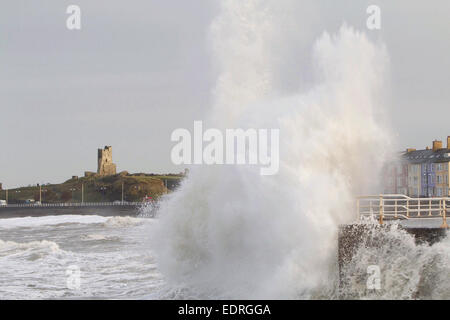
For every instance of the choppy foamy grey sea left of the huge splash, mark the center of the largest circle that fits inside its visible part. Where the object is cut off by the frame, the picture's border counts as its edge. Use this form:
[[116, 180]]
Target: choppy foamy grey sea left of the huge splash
[[37, 252]]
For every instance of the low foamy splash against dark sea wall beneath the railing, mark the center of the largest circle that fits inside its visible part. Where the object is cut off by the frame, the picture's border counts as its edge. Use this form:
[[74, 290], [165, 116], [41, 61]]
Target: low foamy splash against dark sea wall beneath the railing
[[407, 269]]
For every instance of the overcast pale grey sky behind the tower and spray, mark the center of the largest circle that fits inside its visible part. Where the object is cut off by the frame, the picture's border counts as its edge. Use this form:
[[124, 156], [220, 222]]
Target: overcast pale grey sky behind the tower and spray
[[139, 69]]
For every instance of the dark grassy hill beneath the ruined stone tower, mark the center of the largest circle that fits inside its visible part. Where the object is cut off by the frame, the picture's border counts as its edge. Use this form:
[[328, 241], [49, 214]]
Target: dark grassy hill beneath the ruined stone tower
[[98, 189]]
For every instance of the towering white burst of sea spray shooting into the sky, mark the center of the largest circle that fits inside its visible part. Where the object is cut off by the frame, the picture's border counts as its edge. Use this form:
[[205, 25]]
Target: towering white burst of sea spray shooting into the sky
[[230, 232]]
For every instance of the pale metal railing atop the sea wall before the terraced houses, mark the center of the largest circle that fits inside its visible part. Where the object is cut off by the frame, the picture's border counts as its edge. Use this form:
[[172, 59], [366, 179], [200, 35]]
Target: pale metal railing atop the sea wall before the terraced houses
[[398, 206]]
